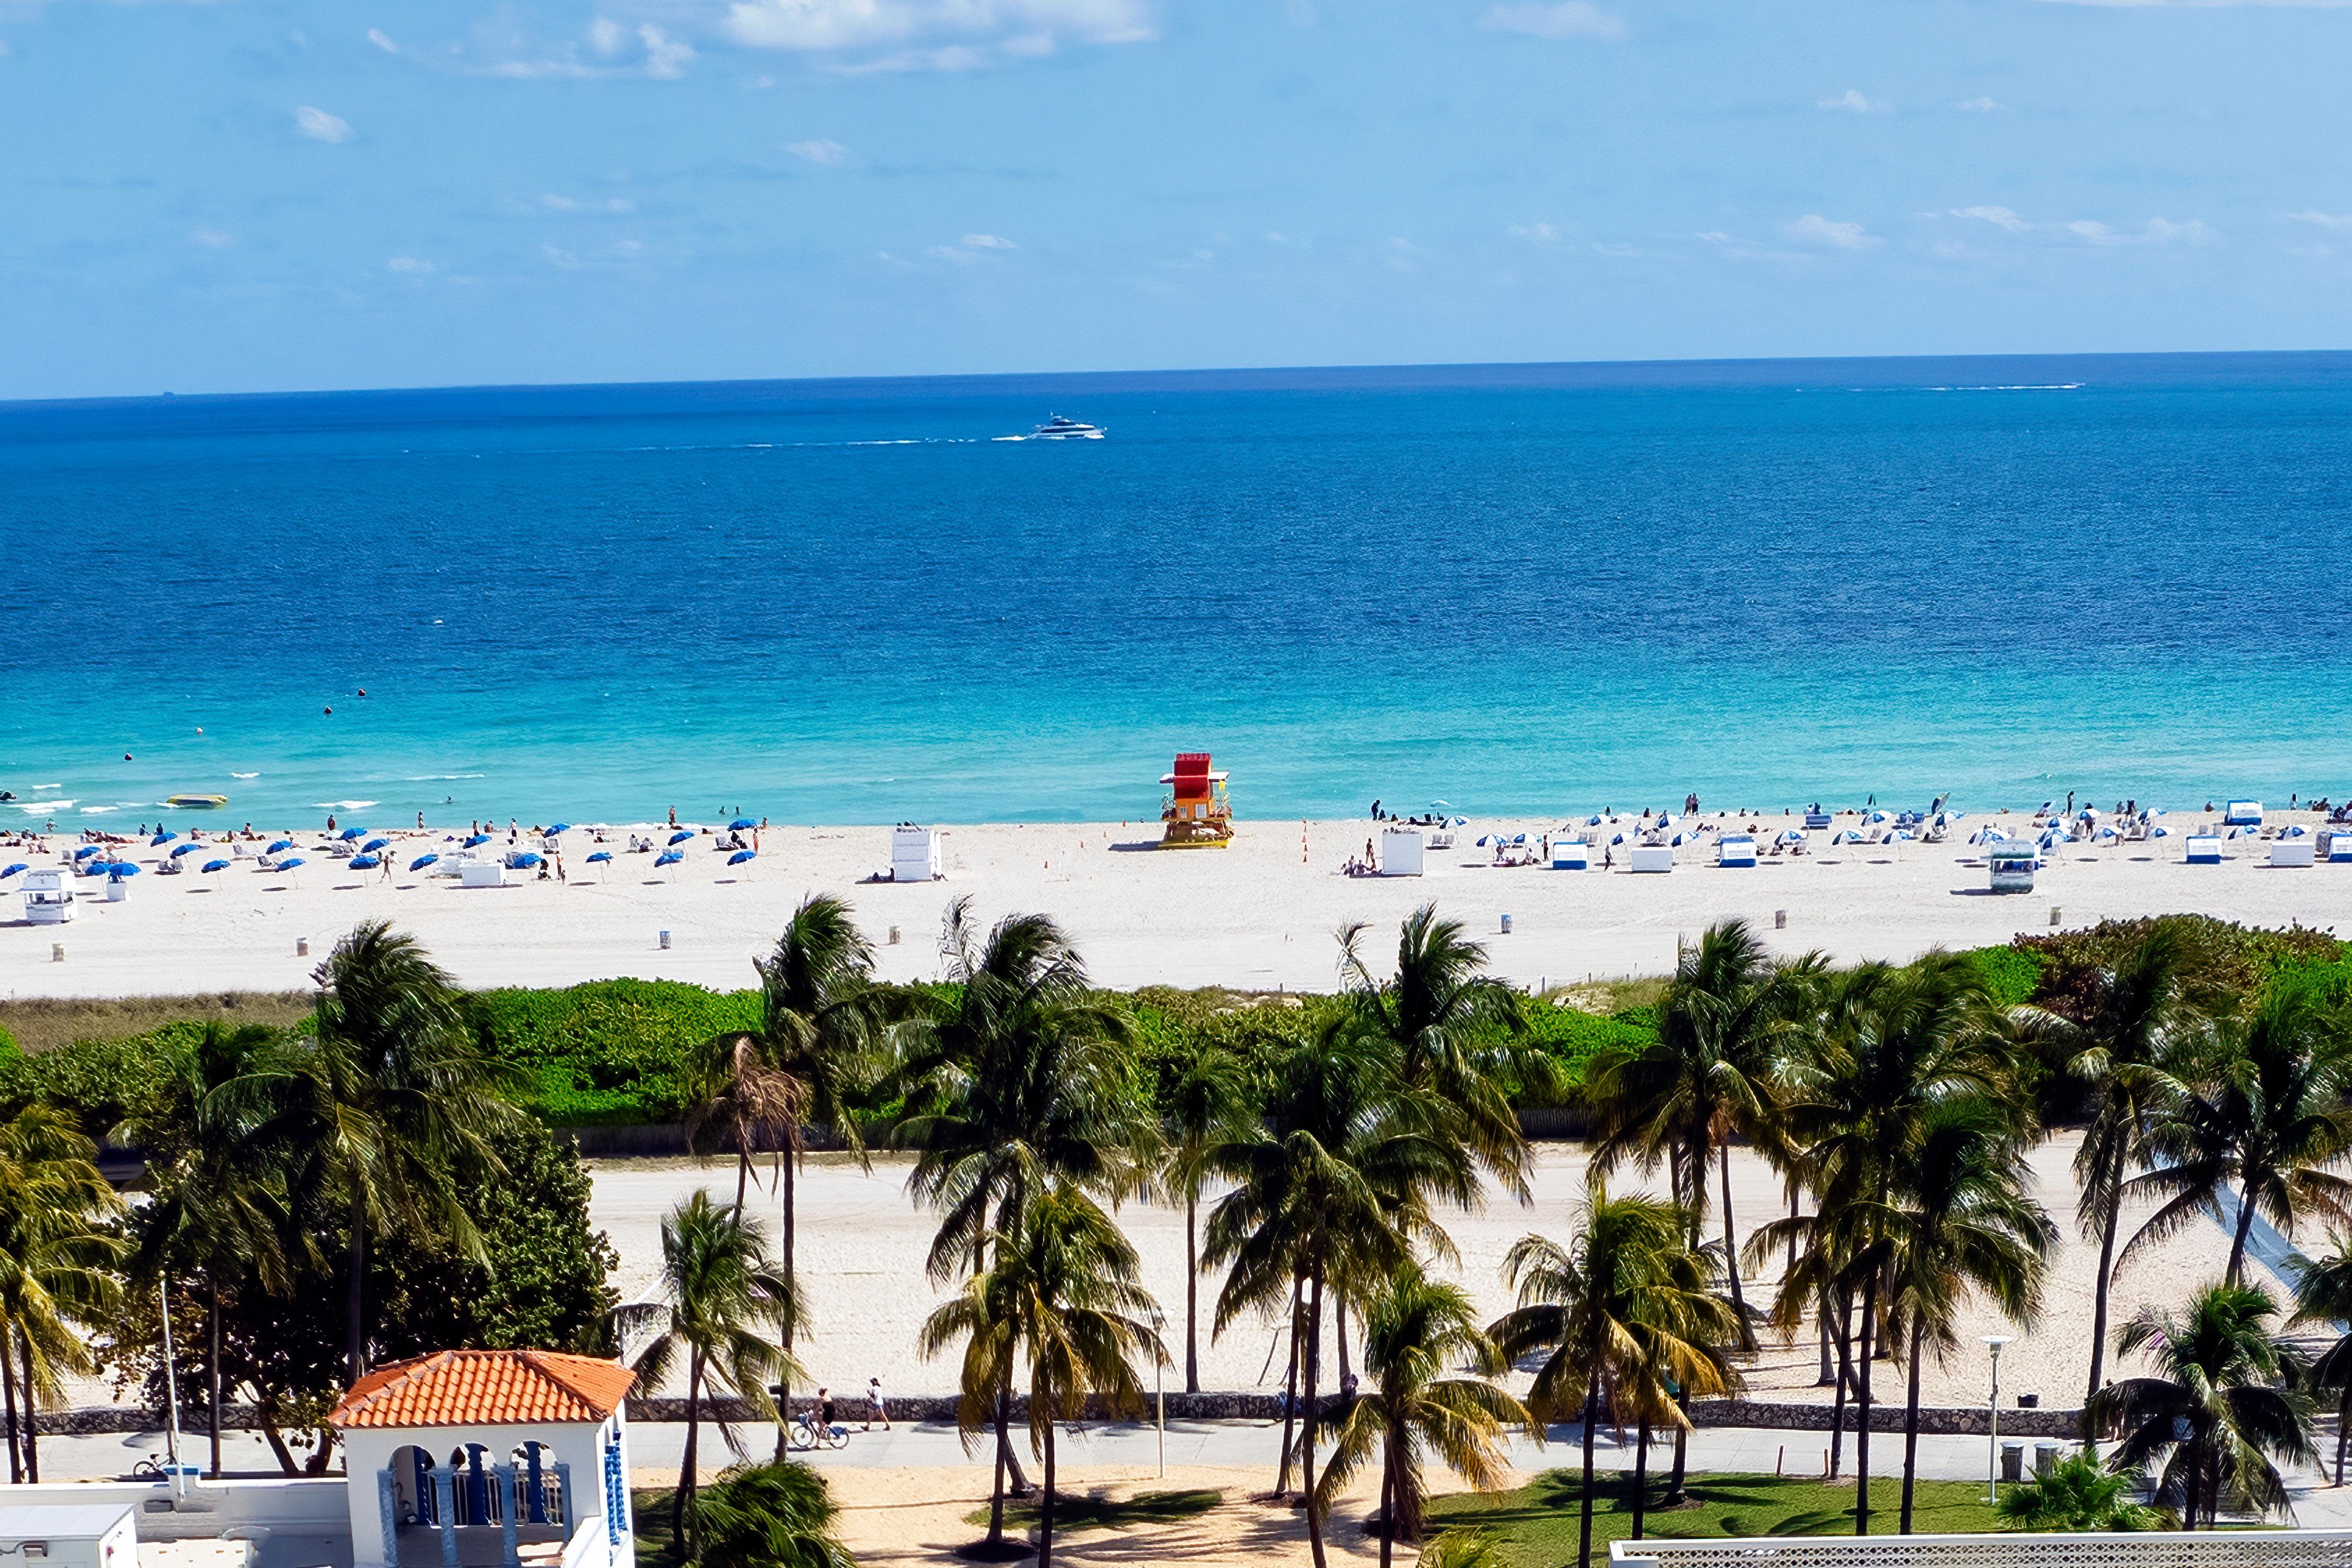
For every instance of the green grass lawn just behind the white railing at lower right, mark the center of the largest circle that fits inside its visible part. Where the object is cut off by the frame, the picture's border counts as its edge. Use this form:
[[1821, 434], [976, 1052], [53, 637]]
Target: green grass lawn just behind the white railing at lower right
[[1537, 1525]]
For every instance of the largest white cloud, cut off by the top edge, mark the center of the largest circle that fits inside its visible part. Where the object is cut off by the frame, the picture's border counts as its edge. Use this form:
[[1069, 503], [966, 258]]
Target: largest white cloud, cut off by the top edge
[[935, 34]]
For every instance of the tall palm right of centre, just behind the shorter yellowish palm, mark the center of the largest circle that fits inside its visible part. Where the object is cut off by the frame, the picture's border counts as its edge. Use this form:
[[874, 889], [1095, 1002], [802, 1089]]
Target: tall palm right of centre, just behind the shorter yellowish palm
[[1711, 1073]]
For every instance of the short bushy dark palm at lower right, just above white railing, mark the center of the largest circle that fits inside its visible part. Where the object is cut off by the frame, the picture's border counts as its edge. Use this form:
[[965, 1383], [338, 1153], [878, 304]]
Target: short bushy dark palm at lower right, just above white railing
[[2221, 1409]]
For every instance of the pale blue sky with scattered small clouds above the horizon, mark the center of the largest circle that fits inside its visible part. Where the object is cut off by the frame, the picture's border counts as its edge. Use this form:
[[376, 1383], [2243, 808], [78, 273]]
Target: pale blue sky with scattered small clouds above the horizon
[[316, 194]]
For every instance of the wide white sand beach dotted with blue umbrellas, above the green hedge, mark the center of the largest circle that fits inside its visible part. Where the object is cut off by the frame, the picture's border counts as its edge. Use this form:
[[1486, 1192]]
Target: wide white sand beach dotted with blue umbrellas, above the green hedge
[[1257, 913]]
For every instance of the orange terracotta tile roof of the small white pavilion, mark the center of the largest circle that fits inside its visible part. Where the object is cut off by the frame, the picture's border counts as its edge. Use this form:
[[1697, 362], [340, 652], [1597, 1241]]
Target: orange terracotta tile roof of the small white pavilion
[[486, 1388]]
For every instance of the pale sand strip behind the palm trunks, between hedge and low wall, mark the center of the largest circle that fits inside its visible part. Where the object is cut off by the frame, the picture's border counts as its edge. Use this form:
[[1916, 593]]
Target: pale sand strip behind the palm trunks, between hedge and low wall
[[862, 1247]]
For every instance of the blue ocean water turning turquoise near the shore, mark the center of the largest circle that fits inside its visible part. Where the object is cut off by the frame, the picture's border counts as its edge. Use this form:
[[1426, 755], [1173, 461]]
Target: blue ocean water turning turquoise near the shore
[[1516, 589]]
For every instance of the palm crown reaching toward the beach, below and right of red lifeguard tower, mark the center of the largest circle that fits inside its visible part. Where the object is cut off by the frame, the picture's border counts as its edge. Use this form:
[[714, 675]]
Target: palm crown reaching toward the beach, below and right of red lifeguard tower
[[1455, 1033]]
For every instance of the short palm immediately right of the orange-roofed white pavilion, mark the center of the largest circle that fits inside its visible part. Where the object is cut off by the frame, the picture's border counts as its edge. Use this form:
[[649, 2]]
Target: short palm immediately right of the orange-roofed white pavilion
[[721, 1296]]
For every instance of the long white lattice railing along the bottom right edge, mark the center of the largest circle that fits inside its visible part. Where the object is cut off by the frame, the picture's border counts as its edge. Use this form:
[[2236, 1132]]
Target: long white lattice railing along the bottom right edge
[[2003, 1550]]
